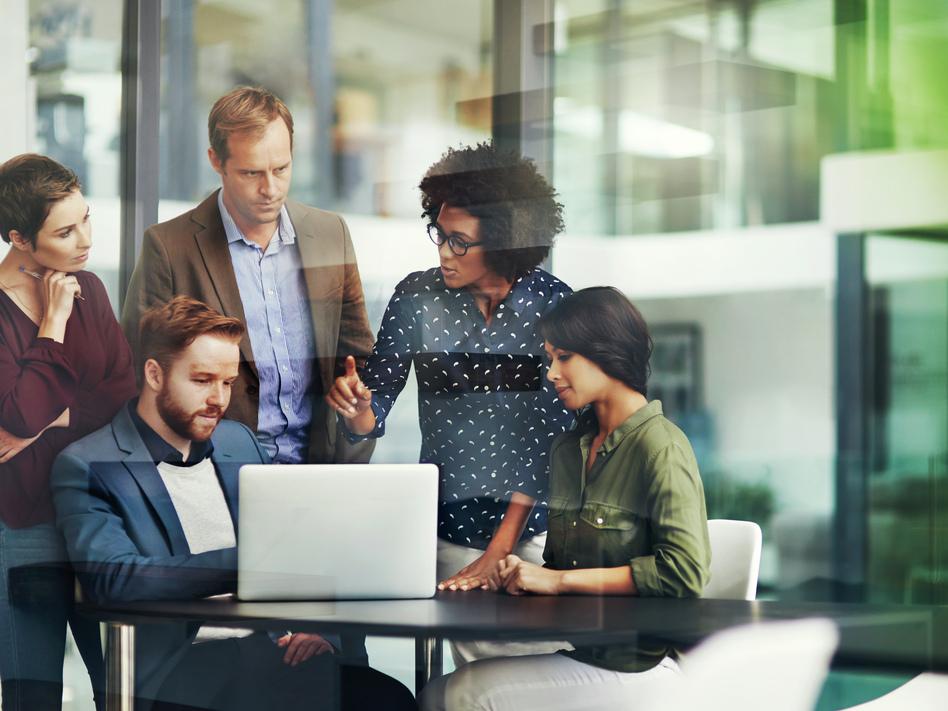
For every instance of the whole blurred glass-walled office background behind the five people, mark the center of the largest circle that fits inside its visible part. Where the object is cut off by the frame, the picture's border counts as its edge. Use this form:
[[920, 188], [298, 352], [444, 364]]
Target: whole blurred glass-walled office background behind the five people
[[766, 179]]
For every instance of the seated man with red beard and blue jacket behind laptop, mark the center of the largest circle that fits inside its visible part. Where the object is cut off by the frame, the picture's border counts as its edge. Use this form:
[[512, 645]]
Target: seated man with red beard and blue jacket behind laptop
[[148, 508]]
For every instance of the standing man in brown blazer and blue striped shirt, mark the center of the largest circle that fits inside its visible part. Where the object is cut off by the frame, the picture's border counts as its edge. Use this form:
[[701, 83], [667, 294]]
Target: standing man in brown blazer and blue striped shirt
[[285, 269]]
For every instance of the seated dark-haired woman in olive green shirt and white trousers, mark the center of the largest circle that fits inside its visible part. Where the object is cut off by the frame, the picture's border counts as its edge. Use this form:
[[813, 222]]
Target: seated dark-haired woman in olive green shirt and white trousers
[[627, 517]]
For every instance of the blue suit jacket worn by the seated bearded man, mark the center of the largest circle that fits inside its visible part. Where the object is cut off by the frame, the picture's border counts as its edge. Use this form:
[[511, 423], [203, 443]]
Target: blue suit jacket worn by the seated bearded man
[[125, 539]]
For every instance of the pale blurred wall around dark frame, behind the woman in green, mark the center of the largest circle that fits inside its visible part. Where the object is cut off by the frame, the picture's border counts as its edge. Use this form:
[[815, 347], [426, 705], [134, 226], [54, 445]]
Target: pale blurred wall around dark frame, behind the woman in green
[[768, 386]]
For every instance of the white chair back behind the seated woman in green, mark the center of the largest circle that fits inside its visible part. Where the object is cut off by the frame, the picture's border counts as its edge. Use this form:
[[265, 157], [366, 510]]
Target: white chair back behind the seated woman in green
[[735, 559]]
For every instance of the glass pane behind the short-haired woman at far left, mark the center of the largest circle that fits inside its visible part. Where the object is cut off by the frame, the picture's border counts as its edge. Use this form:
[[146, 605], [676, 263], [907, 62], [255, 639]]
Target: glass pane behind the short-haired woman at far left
[[62, 69]]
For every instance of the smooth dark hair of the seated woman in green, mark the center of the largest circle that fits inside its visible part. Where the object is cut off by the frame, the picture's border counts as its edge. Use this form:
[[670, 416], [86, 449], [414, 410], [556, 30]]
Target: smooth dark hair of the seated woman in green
[[602, 325]]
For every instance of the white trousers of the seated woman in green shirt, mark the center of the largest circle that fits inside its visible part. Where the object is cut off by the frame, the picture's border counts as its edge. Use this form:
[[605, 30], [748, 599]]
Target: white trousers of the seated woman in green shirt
[[549, 682]]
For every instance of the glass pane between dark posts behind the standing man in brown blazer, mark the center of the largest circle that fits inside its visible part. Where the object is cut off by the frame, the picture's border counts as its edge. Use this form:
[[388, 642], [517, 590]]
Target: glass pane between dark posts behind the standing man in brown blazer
[[378, 92]]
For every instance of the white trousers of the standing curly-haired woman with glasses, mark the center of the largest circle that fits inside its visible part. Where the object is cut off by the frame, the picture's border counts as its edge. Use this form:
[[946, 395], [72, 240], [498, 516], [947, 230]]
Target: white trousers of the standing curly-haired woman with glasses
[[451, 558]]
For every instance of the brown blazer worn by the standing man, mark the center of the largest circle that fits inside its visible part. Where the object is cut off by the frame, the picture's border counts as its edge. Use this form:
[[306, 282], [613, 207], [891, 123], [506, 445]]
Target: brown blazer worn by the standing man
[[189, 255]]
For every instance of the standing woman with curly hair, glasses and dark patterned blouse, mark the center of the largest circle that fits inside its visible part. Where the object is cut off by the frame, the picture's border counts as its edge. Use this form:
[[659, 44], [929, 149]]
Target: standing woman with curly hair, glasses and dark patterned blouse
[[486, 412]]
